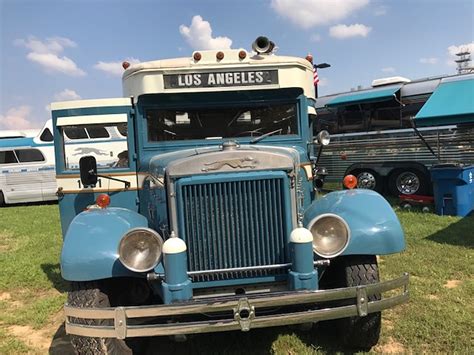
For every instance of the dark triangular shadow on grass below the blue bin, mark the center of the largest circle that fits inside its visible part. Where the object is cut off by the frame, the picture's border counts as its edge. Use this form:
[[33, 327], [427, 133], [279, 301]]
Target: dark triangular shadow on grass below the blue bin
[[459, 233]]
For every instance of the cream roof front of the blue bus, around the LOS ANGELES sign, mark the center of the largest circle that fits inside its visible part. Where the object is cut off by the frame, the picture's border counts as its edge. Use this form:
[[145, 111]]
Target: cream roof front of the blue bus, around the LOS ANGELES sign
[[151, 77]]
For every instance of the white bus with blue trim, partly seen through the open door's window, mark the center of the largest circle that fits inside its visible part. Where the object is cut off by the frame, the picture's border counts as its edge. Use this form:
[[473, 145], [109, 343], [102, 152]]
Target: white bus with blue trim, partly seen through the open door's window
[[27, 165]]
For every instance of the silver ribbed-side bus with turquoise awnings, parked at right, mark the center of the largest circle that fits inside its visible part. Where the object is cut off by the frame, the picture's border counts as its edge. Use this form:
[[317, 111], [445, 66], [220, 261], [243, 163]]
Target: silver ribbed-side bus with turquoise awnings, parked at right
[[373, 137]]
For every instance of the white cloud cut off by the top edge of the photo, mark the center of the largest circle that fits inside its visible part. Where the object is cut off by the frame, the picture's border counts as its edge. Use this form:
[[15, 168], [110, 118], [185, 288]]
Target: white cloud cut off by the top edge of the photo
[[310, 13]]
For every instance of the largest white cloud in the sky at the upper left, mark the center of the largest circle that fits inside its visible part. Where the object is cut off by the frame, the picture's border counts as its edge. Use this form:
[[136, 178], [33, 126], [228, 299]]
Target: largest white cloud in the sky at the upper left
[[47, 54]]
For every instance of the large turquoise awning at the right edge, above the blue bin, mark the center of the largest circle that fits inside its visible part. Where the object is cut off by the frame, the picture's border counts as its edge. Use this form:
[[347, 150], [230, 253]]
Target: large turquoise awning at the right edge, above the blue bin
[[451, 103]]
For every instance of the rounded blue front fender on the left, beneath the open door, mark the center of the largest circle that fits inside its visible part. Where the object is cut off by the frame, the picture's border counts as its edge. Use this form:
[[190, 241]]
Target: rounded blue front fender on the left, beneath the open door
[[90, 248]]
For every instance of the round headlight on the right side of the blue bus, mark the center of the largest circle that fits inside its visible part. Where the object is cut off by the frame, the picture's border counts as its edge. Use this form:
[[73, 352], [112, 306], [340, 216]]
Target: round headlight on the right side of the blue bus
[[331, 235]]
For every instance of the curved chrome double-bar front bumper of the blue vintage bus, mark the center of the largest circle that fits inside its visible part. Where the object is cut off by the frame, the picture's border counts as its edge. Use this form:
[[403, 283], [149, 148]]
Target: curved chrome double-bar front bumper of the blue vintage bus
[[242, 308]]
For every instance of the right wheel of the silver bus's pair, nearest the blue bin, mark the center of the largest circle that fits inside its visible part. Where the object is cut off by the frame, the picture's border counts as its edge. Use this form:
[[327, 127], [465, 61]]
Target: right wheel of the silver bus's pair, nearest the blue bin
[[419, 182]]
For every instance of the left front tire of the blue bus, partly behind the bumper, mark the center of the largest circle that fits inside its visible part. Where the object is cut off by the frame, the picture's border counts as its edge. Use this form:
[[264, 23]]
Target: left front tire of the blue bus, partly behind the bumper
[[99, 294]]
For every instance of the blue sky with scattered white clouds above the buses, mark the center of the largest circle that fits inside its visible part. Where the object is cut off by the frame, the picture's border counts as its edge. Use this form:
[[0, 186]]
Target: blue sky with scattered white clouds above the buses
[[72, 49]]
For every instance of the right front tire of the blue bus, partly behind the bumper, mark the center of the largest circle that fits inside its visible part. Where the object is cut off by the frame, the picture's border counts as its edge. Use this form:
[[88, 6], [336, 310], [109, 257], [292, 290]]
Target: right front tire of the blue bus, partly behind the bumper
[[357, 333]]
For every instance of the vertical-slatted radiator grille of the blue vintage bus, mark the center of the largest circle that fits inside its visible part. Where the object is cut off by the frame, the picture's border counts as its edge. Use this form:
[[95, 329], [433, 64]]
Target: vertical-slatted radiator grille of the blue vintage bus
[[234, 224]]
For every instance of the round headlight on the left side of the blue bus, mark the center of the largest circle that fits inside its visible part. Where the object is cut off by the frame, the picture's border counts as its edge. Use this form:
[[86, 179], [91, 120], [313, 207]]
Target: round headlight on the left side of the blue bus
[[140, 249]]
